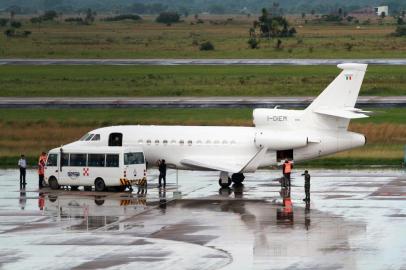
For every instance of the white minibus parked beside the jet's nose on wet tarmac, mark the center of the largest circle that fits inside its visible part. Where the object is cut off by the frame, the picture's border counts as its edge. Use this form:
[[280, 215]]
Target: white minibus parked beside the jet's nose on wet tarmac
[[101, 167]]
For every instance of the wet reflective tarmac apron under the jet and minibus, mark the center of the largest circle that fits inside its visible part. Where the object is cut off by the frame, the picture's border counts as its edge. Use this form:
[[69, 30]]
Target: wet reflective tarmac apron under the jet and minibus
[[356, 220]]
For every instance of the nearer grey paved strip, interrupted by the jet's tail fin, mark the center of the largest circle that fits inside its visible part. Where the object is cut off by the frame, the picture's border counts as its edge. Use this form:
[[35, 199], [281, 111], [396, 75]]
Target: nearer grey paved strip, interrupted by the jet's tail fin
[[187, 102]]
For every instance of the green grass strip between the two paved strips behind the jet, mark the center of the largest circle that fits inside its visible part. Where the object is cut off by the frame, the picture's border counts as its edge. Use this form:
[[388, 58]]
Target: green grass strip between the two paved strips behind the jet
[[189, 80]]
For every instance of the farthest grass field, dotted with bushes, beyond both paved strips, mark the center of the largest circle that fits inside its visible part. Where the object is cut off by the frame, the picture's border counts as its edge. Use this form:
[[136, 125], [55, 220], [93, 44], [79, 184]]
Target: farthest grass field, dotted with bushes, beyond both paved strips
[[147, 39]]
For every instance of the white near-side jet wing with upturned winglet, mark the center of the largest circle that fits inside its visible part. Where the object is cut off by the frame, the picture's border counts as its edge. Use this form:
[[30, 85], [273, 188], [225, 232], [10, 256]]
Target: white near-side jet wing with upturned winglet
[[226, 164]]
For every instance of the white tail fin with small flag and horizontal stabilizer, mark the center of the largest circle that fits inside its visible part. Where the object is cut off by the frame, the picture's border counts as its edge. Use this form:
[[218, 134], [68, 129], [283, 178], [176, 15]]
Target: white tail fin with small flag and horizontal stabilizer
[[334, 107]]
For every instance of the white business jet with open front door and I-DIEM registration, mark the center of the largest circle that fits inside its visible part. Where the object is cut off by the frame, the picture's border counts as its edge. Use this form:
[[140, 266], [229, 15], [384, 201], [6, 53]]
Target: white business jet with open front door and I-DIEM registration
[[277, 134]]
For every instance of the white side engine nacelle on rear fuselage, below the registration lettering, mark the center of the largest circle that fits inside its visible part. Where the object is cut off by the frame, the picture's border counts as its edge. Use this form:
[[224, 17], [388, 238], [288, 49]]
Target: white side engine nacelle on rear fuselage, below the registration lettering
[[280, 140]]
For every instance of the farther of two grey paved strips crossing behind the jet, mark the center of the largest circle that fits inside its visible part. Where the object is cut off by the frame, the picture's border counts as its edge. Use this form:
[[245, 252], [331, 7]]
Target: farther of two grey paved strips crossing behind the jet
[[170, 62]]
